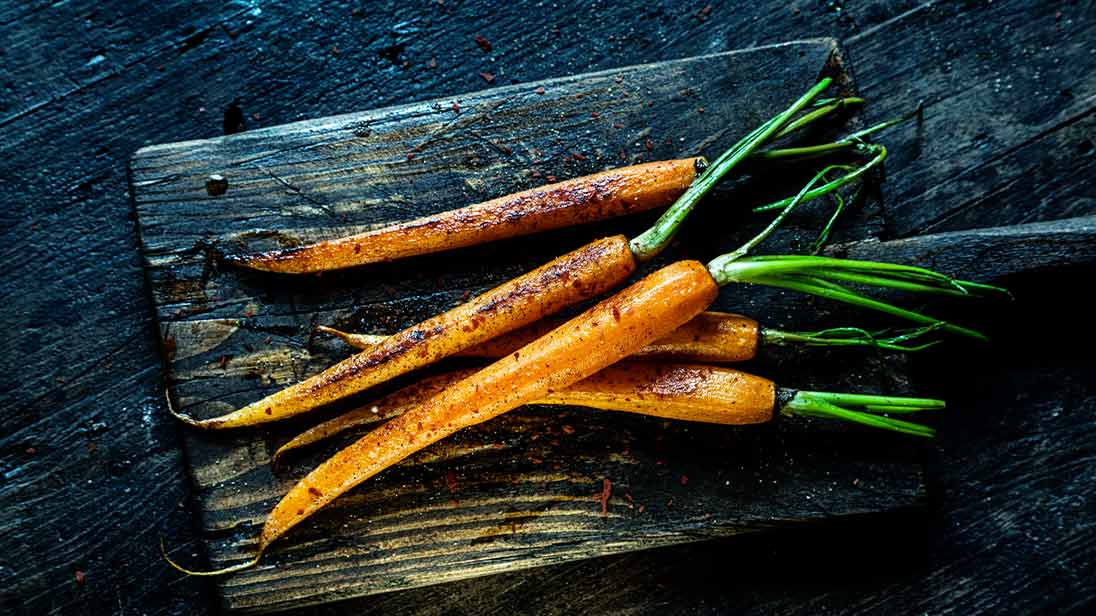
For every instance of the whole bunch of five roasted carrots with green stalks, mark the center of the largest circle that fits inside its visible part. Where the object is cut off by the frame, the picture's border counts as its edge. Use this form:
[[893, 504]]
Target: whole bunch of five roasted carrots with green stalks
[[649, 349]]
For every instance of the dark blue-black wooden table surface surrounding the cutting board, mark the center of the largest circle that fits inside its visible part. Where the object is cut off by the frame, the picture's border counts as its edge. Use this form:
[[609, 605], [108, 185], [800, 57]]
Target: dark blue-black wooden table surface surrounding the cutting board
[[92, 470]]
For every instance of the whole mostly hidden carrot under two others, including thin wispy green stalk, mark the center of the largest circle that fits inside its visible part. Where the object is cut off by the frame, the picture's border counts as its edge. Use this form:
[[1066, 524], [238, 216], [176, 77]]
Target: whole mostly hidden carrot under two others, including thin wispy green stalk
[[711, 337]]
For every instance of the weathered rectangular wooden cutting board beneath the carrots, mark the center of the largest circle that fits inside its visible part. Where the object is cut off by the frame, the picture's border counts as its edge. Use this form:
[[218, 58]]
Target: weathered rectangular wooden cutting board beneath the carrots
[[523, 490]]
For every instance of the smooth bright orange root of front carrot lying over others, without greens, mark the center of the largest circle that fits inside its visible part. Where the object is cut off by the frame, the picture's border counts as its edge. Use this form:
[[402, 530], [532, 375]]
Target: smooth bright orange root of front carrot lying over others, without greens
[[602, 336]]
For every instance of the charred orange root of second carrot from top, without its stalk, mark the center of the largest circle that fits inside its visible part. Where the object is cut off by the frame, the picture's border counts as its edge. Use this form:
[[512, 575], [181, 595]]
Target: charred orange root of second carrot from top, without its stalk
[[568, 280]]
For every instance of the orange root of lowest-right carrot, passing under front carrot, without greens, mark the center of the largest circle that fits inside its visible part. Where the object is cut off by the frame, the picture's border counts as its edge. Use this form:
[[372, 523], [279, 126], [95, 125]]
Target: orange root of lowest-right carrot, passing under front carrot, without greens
[[679, 392]]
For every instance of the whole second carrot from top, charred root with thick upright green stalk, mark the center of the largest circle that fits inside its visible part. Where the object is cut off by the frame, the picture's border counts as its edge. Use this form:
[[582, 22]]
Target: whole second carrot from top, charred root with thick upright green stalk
[[569, 280]]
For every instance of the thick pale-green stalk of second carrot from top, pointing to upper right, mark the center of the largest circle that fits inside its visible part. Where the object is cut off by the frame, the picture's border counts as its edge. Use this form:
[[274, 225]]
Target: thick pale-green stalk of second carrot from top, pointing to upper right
[[659, 236]]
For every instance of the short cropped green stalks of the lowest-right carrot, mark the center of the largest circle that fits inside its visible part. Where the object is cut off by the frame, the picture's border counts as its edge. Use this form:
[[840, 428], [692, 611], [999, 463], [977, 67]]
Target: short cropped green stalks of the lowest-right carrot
[[863, 409]]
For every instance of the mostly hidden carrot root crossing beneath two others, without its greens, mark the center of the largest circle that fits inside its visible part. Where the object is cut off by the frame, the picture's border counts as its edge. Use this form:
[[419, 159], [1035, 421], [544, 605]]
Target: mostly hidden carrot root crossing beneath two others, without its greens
[[710, 337]]
